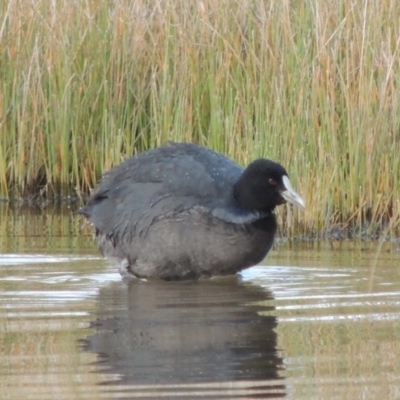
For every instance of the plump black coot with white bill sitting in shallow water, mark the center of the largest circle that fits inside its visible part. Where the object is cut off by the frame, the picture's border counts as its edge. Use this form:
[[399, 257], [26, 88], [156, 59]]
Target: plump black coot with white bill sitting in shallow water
[[182, 211]]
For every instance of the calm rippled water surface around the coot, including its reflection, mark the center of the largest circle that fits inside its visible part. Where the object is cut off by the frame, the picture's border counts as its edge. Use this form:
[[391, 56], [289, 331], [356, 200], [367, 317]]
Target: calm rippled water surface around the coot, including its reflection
[[316, 321]]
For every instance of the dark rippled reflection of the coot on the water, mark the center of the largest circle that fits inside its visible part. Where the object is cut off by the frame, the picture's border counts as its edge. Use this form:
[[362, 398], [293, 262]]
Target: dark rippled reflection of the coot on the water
[[160, 332]]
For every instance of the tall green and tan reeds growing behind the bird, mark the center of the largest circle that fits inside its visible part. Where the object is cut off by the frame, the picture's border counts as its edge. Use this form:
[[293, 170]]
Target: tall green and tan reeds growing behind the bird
[[313, 85]]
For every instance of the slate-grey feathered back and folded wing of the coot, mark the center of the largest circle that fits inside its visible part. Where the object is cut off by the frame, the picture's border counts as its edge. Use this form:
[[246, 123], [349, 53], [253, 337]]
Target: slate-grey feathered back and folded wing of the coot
[[164, 180]]
